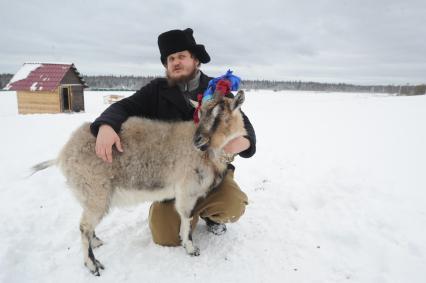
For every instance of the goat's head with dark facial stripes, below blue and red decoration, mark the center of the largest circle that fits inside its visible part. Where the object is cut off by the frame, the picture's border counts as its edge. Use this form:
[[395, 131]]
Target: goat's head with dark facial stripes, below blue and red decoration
[[220, 121]]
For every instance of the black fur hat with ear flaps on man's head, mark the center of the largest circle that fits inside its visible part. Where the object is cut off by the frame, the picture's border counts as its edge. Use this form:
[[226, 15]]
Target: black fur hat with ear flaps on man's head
[[177, 40]]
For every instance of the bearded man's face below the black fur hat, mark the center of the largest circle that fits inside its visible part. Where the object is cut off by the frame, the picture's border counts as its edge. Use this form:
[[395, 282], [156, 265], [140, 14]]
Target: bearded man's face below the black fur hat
[[181, 66]]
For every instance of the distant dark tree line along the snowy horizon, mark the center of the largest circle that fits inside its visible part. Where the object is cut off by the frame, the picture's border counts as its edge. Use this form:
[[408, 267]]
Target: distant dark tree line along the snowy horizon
[[111, 82]]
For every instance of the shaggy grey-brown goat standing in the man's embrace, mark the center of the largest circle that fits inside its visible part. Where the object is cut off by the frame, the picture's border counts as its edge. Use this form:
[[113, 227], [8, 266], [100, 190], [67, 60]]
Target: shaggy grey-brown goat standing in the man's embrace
[[161, 161]]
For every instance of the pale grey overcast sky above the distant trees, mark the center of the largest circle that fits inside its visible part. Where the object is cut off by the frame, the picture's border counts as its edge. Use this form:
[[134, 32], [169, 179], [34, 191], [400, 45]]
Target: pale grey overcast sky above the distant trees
[[362, 42]]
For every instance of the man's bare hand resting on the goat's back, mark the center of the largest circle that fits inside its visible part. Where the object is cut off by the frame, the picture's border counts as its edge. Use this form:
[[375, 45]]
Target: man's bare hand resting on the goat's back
[[106, 138]]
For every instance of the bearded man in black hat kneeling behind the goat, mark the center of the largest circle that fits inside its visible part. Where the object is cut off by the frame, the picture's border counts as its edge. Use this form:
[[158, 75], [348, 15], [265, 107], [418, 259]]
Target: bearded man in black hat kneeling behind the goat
[[168, 99]]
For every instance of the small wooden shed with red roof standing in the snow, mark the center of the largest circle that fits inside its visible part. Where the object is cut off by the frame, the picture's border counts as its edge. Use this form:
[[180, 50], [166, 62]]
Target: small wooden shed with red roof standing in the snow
[[48, 88]]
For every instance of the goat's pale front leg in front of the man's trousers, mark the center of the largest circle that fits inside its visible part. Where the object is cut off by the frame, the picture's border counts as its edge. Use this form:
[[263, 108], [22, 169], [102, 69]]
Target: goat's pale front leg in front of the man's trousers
[[184, 206]]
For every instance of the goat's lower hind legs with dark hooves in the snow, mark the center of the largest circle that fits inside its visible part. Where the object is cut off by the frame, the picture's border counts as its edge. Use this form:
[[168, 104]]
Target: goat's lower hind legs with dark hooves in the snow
[[89, 220]]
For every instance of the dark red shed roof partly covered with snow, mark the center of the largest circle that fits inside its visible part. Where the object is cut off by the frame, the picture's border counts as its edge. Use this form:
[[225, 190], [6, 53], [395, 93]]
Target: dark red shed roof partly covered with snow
[[44, 77]]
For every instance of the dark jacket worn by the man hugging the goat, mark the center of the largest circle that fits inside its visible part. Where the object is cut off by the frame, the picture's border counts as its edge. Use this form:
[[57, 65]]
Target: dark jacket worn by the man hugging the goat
[[157, 100]]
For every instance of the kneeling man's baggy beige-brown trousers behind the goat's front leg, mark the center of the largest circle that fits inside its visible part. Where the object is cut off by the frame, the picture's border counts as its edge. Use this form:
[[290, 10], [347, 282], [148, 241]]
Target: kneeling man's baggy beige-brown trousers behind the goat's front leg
[[225, 203]]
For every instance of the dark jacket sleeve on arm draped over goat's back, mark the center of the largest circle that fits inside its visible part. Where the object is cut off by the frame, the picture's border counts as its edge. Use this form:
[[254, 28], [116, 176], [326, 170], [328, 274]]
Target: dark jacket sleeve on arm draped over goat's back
[[140, 103]]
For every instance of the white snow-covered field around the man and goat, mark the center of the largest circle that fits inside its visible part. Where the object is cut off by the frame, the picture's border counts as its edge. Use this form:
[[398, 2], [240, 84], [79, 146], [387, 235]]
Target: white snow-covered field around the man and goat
[[337, 194]]
